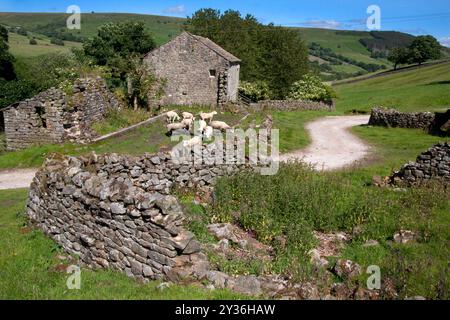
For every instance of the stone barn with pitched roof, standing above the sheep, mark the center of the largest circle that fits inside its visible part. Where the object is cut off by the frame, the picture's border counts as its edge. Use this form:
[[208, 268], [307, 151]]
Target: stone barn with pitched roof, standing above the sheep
[[194, 70]]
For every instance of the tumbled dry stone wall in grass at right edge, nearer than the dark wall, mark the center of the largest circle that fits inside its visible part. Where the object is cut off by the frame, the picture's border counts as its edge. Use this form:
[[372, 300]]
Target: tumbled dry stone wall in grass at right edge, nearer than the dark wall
[[431, 164]]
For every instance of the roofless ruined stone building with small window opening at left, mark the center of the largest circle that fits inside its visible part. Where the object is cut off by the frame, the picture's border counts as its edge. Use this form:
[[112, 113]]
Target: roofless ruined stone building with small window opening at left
[[55, 116]]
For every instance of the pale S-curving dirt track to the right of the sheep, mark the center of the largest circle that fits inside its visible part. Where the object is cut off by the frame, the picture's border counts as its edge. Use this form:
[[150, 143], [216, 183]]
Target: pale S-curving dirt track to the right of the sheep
[[333, 146]]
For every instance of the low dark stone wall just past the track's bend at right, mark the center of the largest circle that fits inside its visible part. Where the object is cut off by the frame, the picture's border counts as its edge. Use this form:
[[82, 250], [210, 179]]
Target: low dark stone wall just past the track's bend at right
[[393, 118]]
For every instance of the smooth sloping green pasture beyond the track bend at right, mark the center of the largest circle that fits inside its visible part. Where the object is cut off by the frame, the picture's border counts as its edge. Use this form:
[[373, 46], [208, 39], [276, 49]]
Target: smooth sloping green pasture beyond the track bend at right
[[427, 88]]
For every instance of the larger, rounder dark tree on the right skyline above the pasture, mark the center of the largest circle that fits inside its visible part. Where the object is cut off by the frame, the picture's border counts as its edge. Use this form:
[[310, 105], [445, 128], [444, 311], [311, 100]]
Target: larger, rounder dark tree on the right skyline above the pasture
[[424, 48]]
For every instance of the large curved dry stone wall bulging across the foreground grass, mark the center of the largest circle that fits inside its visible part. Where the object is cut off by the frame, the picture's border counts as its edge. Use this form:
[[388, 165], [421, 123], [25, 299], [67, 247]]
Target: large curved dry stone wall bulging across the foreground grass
[[117, 212]]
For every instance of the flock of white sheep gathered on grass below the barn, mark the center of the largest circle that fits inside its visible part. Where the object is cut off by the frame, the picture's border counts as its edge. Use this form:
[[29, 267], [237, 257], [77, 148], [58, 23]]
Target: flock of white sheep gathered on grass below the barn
[[204, 130]]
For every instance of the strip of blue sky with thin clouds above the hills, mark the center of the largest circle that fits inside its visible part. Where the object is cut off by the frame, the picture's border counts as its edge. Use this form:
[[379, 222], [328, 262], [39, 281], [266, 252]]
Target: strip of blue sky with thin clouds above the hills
[[412, 16]]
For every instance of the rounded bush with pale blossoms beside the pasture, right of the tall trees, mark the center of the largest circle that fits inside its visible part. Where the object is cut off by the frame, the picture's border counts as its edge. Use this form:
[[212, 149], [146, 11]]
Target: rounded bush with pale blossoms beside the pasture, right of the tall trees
[[311, 88]]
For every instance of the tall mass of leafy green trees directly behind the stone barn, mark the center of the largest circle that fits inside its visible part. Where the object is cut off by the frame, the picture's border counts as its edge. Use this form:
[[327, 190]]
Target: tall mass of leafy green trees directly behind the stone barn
[[272, 54]]
